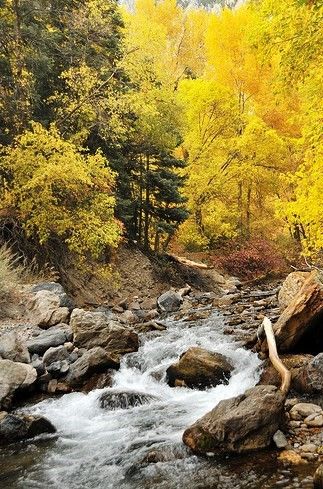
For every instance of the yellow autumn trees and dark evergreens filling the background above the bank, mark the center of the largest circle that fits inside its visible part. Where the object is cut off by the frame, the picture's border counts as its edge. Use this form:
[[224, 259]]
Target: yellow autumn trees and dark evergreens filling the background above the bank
[[161, 122]]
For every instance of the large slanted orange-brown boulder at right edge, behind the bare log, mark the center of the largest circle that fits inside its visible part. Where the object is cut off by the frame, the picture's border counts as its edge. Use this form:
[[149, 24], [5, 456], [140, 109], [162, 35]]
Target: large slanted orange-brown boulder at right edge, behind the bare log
[[299, 327]]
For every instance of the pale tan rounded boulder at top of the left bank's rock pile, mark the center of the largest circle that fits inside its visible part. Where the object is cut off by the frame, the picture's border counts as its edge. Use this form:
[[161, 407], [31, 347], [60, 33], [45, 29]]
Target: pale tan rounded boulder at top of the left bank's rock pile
[[45, 309]]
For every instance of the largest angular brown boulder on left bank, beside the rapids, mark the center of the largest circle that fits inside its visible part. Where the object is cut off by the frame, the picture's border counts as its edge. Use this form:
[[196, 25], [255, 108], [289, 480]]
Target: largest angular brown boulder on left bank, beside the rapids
[[93, 329]]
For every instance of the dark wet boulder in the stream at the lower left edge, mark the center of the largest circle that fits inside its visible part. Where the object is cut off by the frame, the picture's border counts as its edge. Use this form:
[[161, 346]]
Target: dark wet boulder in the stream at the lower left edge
[[18, 426]]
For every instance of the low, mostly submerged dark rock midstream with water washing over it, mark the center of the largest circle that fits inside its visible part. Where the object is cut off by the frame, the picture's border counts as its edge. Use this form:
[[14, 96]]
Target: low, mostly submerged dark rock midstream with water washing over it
[[124, 400]]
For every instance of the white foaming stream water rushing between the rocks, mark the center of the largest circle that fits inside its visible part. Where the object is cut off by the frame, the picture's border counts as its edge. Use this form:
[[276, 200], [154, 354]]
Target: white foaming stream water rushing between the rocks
[[104, 449]]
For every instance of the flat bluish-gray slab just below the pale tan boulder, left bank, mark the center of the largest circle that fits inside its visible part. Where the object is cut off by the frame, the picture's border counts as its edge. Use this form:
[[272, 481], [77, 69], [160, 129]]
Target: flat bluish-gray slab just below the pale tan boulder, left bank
[[55, 336]]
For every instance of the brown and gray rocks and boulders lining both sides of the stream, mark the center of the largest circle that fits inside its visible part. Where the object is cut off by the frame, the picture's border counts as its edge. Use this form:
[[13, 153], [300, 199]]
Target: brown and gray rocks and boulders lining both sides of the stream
[[56, 348]]
